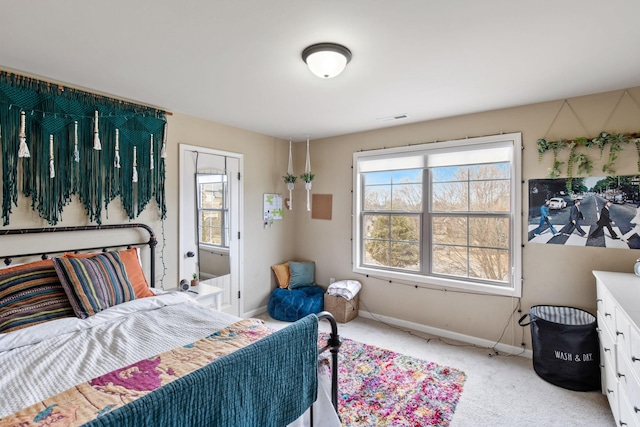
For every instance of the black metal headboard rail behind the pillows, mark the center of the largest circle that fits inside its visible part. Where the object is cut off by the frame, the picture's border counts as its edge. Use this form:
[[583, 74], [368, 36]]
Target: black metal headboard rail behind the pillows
[[152, 242]]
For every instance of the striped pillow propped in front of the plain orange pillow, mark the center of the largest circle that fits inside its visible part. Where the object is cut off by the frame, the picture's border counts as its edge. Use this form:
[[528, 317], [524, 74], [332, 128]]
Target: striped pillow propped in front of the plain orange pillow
[[94, 284]]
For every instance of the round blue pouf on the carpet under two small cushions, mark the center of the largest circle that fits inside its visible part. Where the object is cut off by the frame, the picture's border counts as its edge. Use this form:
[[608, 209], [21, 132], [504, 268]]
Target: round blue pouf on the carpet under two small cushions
[[290, 305]]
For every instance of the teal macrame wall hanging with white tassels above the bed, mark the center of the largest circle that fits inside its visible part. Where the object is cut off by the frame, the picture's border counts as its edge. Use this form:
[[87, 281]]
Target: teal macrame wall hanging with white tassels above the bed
[[59, 142]]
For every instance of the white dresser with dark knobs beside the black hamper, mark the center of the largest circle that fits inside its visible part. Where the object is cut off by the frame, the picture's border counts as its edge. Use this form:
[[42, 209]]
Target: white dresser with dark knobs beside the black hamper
[[618, 297]]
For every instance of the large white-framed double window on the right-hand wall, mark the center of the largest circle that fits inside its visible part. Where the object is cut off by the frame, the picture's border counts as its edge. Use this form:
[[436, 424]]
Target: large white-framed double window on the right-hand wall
[[444, 213]]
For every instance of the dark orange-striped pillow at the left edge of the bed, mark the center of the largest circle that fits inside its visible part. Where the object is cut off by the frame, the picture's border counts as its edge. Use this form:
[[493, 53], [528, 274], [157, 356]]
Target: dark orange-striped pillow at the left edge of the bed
[[31, 294]]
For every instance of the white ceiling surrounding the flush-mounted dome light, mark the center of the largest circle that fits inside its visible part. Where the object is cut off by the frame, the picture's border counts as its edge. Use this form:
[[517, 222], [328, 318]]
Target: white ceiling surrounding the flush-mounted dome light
[[237, 62]]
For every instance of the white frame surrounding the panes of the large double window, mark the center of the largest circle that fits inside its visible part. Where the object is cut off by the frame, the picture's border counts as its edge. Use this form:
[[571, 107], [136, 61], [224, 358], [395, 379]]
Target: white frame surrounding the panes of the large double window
[[383, 159]]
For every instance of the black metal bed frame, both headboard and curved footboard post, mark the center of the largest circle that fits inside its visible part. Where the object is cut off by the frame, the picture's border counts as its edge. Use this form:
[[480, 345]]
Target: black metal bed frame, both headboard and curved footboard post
[[333, 343]]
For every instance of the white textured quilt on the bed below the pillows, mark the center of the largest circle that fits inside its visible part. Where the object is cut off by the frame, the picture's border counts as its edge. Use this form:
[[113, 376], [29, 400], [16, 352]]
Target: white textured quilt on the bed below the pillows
[[41, 361]]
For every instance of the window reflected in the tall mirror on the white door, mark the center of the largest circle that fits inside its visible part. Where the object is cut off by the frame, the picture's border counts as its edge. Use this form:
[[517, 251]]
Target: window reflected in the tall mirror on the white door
[[213, 210]]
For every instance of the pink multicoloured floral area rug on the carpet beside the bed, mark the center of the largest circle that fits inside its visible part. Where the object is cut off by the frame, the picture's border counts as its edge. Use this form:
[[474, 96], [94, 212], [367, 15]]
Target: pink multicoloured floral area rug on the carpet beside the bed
[[378, 387]]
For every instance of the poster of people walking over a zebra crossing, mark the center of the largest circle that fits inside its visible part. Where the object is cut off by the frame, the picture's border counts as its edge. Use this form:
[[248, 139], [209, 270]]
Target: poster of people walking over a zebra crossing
[[594, 211]]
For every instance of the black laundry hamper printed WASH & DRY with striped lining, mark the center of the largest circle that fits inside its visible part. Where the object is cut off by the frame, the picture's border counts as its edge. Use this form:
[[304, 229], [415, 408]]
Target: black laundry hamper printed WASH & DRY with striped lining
[[565, 345]]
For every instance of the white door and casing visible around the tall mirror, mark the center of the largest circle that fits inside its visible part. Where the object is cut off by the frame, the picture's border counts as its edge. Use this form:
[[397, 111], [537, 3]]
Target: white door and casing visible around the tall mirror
[[186, 231]]
